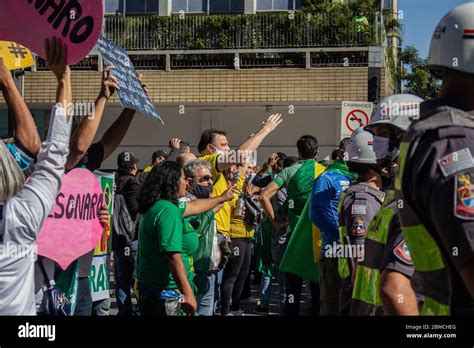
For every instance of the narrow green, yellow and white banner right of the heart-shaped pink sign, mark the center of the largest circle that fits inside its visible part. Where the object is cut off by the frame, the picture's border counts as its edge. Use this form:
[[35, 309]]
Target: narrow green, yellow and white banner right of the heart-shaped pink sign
[[100, 268]]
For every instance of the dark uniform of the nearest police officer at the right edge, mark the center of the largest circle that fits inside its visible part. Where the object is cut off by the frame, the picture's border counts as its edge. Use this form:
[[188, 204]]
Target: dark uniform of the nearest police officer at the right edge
[[436, 185]]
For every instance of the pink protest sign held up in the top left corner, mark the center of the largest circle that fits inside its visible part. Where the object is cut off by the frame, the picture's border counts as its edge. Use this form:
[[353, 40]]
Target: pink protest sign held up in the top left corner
[[78, 23]]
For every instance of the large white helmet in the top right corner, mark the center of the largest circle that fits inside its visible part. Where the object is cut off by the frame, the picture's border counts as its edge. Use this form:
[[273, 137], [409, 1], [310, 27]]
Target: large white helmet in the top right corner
[[452, 44]]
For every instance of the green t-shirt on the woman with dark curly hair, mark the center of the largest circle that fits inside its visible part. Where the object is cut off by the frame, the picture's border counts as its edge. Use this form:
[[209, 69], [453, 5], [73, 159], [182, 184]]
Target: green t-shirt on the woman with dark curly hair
[[162, 230]]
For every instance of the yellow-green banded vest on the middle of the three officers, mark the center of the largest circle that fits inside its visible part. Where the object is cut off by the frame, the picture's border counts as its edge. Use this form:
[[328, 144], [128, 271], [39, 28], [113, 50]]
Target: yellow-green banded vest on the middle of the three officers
[[365, 295]]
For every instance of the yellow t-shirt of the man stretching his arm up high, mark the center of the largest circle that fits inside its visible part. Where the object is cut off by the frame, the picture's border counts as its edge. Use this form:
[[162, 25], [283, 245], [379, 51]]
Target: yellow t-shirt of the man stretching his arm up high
[[220, 185]]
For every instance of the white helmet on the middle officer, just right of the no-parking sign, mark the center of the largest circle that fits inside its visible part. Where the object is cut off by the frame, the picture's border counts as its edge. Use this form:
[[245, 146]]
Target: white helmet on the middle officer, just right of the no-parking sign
[[398, 110]]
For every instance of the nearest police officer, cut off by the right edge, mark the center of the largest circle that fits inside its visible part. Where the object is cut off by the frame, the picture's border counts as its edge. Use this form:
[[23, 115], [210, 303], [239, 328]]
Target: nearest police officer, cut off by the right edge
[[436, 176]]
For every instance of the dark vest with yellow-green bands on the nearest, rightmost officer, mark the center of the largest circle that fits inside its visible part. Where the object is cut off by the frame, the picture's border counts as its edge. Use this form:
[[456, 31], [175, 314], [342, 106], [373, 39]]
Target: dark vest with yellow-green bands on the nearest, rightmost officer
[[429, 262]]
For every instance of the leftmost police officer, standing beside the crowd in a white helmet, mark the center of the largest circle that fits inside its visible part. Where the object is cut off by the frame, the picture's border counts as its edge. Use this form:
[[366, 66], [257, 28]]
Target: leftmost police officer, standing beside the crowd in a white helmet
[[357, 208]]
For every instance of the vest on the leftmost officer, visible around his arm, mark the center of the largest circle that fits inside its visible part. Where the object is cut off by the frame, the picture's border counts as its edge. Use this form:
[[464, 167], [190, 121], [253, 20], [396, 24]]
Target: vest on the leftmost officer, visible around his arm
[[354, 192]]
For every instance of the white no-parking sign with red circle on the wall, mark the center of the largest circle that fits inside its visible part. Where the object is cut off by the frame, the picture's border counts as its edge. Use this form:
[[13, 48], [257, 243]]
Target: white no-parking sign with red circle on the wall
[[354, 115]]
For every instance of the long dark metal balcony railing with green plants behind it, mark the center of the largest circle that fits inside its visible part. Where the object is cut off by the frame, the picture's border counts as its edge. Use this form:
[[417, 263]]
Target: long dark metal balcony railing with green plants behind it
[[270, 30]]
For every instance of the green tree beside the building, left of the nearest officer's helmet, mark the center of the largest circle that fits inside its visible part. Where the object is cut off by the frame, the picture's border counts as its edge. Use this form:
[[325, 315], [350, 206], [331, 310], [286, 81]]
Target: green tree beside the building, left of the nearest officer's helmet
[[416, 76]]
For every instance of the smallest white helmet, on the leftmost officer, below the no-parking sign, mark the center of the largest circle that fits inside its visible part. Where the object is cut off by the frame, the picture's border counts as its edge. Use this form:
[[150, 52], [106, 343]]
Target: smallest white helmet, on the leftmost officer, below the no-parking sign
[[360, 148]]
